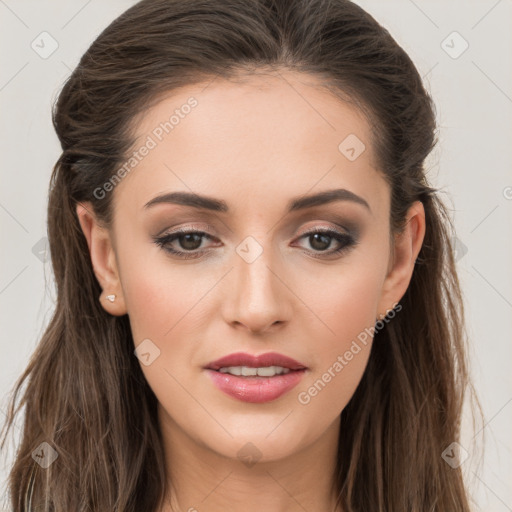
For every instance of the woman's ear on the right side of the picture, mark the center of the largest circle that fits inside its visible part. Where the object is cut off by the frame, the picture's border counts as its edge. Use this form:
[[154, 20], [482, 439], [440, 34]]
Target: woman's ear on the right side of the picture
[[407, 245]]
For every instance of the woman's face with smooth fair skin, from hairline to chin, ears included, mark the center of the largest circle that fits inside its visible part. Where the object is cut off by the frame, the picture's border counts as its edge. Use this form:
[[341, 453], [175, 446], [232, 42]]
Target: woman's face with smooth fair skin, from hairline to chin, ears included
[[257, 268]]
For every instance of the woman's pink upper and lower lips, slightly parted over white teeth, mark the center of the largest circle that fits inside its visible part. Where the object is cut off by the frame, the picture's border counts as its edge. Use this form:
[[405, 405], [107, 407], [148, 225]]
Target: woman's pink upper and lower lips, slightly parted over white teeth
[[255, 389]]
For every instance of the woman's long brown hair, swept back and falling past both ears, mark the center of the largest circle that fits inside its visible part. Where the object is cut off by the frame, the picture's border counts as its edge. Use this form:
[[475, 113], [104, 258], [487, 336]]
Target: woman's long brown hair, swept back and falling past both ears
[[85, 393]]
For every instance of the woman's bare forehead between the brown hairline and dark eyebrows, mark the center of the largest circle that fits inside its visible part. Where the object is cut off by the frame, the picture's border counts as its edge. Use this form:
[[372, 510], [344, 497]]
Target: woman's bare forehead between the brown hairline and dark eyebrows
[[281, 132]]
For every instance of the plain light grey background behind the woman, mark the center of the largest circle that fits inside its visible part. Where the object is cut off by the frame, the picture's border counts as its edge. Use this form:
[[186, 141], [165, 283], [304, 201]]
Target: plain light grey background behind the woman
[[472, 163]]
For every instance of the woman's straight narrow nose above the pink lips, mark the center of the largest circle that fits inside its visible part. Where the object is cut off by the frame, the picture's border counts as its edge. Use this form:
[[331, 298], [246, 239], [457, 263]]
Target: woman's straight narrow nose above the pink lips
[[257, 298]]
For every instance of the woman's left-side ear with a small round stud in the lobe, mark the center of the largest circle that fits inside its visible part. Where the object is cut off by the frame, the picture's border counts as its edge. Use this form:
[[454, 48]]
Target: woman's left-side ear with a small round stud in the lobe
[[103, 259]]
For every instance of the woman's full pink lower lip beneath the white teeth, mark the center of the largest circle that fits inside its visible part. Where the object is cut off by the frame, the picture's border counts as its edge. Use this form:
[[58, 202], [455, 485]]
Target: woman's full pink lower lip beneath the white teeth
[[256, 389]]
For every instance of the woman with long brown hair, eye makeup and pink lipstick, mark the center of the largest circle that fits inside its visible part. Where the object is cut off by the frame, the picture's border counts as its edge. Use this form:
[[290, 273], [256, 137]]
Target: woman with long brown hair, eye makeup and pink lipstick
[[258, 307]]
